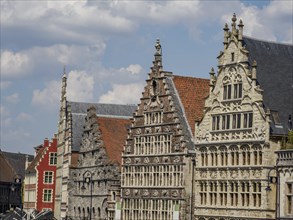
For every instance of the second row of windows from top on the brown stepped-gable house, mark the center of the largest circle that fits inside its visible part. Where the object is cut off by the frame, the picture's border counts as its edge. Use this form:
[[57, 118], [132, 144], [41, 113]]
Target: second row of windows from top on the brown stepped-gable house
[[152, 144]]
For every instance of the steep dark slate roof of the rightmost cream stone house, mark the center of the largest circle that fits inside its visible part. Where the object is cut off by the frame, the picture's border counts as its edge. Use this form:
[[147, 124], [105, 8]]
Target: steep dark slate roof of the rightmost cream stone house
[[275, 76]]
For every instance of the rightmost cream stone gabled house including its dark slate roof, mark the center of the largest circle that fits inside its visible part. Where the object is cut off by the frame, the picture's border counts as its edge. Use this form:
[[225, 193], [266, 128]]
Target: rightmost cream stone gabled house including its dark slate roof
[[245, 116]]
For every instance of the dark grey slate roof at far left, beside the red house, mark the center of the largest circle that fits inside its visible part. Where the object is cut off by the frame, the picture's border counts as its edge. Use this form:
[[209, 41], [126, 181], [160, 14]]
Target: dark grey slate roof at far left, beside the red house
[[16, 161]]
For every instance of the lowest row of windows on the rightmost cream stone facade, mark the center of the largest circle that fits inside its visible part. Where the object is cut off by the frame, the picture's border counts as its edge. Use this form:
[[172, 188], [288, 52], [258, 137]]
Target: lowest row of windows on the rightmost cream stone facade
[[230, 193]]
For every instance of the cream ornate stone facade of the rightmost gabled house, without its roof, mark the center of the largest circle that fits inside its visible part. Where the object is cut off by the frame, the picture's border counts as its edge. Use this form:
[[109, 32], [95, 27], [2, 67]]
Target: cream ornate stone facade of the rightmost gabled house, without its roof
[[233, 150]]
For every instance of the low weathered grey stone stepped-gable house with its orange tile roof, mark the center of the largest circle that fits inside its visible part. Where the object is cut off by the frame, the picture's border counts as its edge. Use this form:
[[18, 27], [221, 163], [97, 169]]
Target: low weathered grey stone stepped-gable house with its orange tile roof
[[93, 190]]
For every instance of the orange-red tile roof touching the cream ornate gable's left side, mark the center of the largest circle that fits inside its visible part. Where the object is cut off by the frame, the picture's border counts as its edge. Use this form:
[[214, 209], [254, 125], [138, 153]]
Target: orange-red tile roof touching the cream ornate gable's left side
[[192, 92]]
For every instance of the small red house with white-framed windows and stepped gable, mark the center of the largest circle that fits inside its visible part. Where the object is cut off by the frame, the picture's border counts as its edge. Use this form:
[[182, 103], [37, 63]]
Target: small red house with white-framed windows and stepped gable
[[40, 178]]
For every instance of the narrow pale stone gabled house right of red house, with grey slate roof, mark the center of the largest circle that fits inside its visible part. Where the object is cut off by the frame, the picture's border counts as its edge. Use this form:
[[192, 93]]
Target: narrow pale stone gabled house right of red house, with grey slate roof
[[70, 129]]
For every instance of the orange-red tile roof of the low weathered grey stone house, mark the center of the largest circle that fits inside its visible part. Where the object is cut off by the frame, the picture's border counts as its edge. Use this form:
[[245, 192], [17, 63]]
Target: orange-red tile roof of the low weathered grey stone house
[[114, 133]]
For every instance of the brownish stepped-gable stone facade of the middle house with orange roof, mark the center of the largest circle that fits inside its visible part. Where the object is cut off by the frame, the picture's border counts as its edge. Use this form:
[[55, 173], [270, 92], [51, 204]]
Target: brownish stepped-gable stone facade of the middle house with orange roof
[[156, 162]]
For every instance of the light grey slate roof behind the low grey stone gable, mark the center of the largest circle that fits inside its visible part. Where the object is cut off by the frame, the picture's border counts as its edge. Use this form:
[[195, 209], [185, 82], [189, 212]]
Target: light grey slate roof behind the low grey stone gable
[[79, 111]]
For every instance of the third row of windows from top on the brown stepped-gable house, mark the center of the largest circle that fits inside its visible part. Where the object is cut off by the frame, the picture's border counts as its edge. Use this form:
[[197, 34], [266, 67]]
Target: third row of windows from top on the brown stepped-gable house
[[161, 175]]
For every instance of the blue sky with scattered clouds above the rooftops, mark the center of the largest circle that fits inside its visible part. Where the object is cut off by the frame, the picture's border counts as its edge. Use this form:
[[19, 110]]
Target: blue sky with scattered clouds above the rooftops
[[107, 48]]
